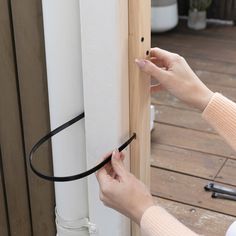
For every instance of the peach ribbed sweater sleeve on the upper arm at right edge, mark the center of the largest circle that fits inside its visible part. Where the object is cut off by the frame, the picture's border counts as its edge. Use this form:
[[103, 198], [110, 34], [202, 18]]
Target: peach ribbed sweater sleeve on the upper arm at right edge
[[220, 113]]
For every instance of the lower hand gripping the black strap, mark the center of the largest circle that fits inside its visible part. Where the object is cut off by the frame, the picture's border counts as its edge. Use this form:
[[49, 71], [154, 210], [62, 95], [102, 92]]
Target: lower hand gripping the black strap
[[121, 191]]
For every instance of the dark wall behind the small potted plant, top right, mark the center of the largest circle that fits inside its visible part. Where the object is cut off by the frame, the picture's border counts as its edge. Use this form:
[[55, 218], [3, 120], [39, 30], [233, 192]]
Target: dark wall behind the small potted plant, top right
[[220, 9]]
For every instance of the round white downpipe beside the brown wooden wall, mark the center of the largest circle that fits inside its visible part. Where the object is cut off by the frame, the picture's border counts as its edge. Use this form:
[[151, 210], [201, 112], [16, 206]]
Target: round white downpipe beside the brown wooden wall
[[65, 87]]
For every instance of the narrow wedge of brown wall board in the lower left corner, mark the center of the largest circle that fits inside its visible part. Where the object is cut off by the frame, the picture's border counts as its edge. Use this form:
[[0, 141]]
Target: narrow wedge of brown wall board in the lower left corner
[[4, 230]]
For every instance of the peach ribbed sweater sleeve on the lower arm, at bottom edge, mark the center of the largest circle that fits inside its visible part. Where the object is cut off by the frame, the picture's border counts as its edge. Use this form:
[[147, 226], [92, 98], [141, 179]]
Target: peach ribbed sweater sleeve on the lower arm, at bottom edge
[[156, 221]]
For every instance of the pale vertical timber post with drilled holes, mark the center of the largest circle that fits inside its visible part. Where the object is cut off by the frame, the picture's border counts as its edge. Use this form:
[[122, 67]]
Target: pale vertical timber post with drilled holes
[[139, 83]]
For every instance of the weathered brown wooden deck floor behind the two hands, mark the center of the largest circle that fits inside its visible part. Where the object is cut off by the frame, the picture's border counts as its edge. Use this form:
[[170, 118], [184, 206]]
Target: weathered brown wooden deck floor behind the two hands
[[186, 152]]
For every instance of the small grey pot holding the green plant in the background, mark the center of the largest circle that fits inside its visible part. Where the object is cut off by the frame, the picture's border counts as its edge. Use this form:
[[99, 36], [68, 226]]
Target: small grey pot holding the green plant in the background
[[197, 20]]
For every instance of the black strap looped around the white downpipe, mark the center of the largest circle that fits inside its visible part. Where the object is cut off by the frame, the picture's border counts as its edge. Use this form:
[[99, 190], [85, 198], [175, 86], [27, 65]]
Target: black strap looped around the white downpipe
[[72, 177]]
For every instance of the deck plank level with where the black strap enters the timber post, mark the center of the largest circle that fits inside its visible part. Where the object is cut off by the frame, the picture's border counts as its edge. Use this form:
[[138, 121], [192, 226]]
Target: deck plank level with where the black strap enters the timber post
[[192, 140]]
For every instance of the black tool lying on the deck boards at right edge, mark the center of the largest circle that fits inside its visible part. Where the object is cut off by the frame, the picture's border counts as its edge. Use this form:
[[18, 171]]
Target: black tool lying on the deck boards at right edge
[[221, 192]]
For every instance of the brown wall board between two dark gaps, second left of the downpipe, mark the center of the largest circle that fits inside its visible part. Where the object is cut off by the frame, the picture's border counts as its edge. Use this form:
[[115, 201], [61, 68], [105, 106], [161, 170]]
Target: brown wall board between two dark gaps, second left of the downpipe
[[10, 133]]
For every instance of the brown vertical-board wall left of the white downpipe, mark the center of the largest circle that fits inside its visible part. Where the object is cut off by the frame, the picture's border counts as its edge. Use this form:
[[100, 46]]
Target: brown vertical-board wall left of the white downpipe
[[24, 118]]
